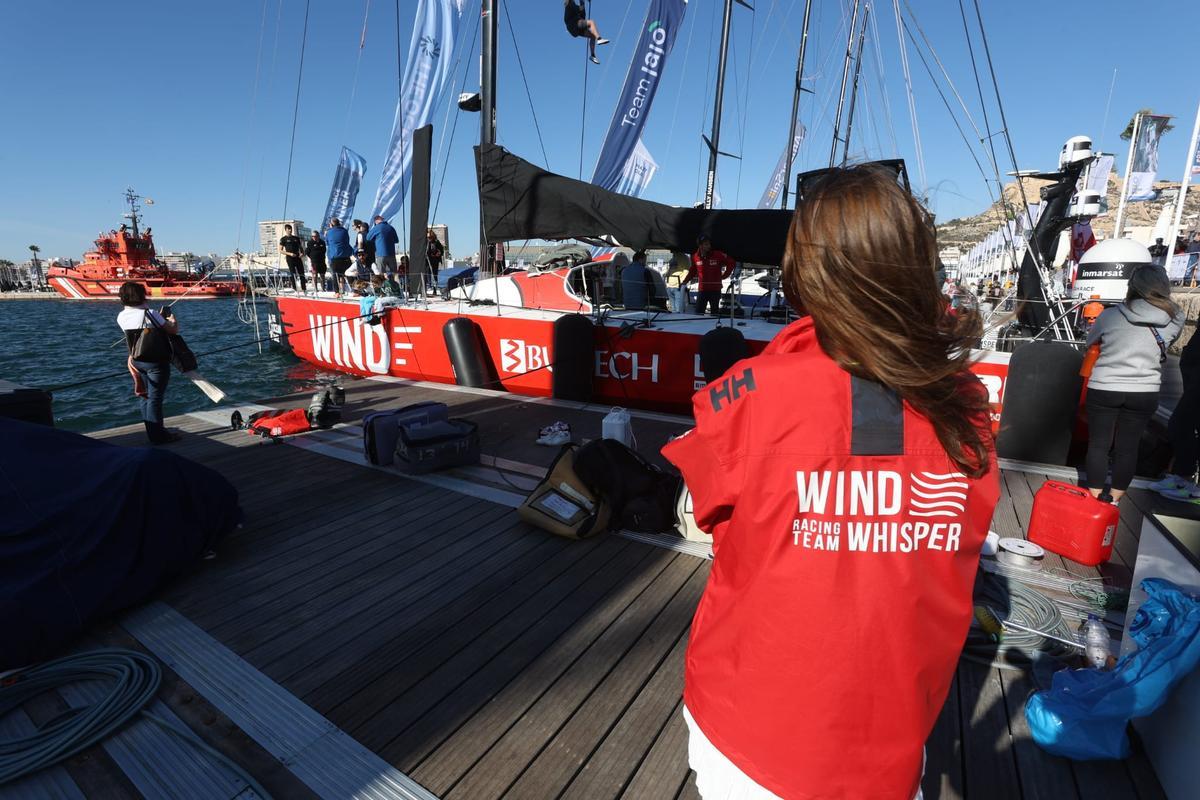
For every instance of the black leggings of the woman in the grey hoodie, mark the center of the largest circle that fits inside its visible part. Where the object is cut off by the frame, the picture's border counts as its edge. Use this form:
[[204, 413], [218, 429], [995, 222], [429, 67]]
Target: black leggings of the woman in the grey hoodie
[[1115, 423]]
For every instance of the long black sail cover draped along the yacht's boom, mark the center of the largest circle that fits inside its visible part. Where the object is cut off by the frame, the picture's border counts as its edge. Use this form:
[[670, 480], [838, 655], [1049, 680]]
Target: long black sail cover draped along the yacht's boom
[[519, 201]]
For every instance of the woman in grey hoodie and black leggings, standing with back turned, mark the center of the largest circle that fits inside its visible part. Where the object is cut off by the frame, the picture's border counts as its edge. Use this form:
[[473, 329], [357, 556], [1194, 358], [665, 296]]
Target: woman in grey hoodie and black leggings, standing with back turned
[[1123, 392]]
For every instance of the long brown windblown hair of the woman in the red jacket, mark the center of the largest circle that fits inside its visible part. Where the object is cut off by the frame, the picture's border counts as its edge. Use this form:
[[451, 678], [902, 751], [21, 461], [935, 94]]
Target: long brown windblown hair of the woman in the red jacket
[[861, 260]]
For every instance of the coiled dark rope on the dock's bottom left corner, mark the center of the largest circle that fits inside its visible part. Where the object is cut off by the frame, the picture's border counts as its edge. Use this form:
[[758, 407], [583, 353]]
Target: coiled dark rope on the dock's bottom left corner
[[134, 679]]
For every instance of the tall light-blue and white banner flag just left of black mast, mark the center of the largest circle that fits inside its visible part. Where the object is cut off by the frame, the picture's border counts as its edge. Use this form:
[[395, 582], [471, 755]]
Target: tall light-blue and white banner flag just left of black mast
[[427, 74]]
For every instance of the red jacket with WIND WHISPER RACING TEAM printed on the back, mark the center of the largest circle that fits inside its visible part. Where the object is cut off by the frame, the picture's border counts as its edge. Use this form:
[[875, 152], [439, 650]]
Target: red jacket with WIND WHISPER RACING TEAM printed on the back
[[845, 549]]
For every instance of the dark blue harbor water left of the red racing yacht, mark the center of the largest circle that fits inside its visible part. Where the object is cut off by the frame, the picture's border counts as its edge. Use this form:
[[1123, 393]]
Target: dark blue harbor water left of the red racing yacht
[[50, 344]]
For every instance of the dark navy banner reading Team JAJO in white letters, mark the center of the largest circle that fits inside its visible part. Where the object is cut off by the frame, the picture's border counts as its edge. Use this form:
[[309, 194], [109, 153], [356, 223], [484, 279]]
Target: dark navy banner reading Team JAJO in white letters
[[663, 22]]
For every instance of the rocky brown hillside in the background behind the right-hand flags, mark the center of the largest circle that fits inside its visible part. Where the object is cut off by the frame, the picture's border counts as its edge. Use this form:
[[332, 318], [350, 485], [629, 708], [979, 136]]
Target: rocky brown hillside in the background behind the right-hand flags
[[968, 232]]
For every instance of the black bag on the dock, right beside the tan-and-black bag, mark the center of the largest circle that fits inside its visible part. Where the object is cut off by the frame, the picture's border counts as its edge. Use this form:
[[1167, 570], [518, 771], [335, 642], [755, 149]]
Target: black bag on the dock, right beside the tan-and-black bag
[[643, 497]]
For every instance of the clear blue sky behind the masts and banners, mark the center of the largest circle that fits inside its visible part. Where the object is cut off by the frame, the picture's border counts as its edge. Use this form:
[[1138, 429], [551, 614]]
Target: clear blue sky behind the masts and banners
[[161, 97]]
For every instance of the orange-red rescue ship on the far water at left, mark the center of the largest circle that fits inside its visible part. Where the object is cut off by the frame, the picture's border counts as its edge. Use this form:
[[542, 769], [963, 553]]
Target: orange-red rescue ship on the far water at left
[[129, 255]]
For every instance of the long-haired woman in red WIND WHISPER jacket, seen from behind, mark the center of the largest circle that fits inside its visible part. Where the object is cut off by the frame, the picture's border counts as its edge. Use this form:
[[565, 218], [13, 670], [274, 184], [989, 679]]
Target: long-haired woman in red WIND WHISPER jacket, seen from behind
[[848, 478]]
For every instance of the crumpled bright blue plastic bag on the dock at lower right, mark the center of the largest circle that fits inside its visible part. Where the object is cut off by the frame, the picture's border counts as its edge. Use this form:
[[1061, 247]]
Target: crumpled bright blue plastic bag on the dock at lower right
[[1085, 713]]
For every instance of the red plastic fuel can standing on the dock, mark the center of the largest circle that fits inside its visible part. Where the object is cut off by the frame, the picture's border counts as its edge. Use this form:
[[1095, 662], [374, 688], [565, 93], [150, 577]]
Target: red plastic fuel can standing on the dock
[[1069, 521]]
